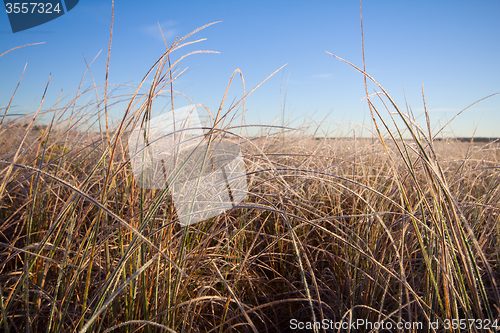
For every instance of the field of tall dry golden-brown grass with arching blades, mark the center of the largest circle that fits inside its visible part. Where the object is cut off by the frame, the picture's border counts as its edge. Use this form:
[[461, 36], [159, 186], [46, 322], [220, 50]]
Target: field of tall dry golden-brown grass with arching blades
[[400, 228]]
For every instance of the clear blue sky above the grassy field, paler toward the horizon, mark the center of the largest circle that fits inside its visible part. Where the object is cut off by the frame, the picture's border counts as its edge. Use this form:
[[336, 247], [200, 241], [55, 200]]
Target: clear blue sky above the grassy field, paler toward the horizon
[[452, 47]]
